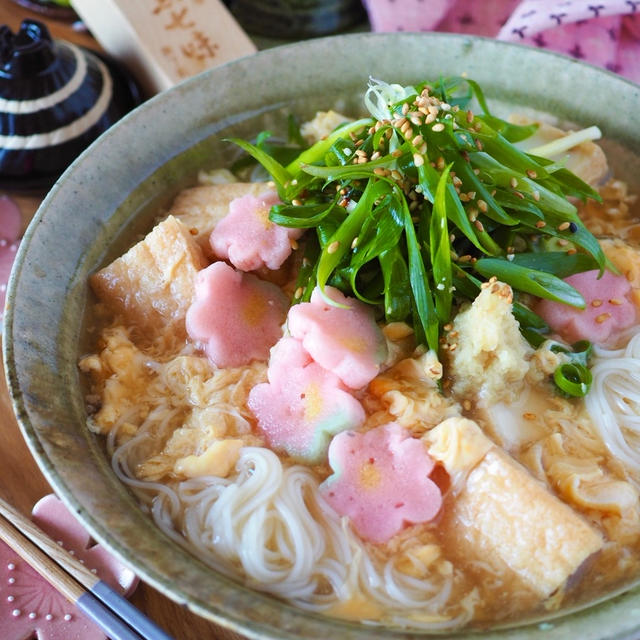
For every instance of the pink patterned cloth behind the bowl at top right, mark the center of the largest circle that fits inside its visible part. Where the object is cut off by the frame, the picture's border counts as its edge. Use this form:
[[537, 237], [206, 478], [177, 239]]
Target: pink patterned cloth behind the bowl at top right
[[605, 33]]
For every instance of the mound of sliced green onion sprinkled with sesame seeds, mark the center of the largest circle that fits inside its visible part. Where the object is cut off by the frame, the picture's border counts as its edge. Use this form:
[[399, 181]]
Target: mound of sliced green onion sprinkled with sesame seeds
[[413, 208]]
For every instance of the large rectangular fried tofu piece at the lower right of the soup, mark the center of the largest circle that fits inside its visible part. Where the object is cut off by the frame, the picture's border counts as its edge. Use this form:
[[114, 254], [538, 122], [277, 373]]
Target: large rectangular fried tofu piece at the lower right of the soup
[[501, 512]]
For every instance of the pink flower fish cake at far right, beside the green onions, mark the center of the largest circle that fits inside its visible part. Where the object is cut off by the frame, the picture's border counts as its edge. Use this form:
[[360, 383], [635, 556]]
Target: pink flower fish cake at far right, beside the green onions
[[608, 308]]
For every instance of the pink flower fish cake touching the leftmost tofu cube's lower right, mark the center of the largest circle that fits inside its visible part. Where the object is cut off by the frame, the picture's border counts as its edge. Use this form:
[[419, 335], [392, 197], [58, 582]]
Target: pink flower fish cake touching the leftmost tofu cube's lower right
[[235, 316]]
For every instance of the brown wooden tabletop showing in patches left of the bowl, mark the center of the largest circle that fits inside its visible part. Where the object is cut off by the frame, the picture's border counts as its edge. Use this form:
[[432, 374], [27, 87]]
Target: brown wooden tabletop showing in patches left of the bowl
[[20, 480]]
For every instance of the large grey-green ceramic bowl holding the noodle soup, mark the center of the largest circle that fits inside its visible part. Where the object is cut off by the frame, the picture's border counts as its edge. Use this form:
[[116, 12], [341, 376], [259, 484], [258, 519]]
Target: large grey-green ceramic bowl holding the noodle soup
[[110, 195]]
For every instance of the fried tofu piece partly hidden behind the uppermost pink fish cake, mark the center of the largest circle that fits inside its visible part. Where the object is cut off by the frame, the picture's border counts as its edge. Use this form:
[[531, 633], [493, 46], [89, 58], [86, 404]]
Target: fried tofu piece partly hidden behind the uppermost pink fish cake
[[201, 208]]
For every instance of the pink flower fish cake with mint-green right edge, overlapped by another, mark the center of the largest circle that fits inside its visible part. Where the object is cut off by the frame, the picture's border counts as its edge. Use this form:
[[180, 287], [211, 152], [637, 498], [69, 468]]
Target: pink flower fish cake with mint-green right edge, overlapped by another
[[302, 405]]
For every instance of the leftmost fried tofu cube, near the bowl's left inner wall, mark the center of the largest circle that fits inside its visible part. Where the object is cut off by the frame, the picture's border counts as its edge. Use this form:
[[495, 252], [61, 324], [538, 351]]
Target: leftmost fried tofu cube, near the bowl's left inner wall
[[153, 284]]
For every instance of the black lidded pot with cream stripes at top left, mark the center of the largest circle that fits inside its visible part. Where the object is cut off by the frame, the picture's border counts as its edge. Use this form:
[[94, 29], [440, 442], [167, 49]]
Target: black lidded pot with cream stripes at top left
[[55, 99]]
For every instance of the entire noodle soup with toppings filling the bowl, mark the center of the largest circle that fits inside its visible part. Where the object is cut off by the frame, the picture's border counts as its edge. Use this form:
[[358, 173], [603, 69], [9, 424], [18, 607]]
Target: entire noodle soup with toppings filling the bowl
[[397, 381]]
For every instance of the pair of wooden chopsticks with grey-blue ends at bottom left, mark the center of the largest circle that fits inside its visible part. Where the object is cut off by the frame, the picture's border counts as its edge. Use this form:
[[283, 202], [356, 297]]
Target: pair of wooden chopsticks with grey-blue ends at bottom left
[[108, 609]]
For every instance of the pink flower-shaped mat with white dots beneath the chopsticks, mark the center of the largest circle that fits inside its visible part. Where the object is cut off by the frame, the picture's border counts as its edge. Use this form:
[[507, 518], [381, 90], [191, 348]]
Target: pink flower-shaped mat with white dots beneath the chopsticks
[[30, 606]]
